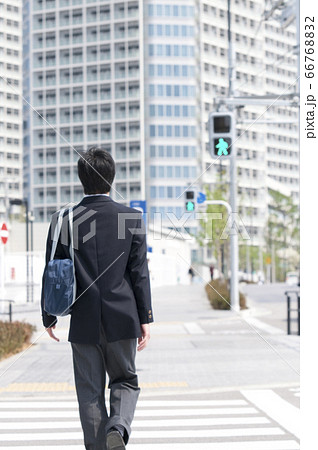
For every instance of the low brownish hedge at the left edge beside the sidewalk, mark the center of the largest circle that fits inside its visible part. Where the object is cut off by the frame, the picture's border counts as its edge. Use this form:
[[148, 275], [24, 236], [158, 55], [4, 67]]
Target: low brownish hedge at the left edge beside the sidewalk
[[14, 336]]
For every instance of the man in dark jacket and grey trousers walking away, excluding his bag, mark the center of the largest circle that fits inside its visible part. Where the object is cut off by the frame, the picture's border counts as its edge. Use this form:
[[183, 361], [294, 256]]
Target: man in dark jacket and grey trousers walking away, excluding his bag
[[113, 306]]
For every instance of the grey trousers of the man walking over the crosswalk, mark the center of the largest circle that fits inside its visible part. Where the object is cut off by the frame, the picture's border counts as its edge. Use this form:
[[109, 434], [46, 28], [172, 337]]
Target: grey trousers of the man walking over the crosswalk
[[91, 363]]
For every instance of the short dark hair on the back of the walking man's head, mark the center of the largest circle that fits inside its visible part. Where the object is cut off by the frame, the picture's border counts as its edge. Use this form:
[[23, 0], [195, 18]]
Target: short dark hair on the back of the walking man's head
[[96, 170]]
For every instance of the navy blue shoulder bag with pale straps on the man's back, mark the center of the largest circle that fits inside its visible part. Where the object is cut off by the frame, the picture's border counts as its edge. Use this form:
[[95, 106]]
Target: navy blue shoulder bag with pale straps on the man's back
[[60, 281]]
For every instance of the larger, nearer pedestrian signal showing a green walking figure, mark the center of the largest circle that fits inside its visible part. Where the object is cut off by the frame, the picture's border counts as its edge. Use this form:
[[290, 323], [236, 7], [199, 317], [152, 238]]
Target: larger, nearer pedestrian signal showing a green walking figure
[[221, 134]]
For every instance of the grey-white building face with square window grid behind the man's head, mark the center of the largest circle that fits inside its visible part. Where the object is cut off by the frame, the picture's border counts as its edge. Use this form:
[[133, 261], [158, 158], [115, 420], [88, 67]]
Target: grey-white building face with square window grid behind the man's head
[[86, 88]]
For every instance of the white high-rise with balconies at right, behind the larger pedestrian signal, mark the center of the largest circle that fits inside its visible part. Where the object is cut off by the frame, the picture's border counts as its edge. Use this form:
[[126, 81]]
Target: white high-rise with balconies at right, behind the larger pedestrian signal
[[264, 64]]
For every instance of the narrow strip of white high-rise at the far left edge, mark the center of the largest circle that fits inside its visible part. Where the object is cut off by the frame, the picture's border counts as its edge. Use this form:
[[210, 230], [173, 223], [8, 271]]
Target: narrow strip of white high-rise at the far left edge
[[11, 133]]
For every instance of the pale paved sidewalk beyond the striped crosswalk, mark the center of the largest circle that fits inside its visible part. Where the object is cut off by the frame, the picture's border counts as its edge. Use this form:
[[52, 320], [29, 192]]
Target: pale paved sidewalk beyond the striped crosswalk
[[192, 346]]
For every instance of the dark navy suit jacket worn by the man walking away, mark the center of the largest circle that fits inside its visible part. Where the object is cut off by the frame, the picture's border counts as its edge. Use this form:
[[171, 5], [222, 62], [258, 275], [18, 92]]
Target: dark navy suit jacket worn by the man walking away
[[113, 288]]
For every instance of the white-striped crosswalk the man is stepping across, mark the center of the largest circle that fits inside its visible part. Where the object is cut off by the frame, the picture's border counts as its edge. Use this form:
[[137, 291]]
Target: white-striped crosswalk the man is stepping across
[[233, 421]]
